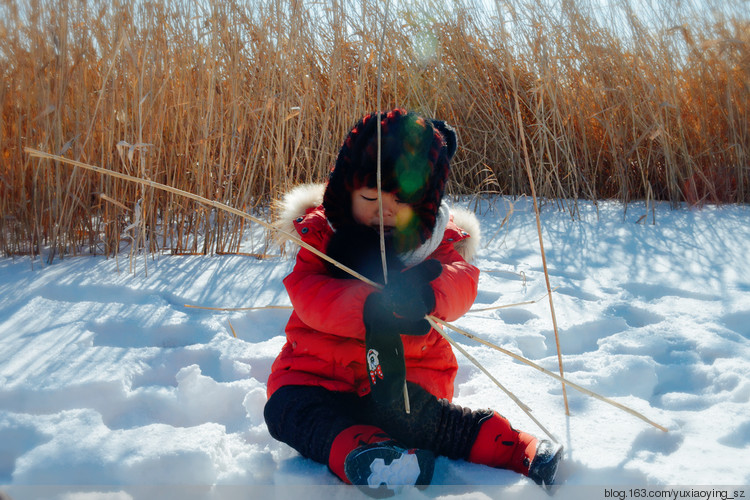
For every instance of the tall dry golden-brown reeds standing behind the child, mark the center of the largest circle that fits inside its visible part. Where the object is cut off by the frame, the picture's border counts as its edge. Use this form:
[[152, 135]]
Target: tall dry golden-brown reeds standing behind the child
[[238, 101]]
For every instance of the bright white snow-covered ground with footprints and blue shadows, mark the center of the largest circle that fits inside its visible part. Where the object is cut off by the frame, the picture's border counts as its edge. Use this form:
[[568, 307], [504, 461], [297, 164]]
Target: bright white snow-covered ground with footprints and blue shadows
[[111, 388]]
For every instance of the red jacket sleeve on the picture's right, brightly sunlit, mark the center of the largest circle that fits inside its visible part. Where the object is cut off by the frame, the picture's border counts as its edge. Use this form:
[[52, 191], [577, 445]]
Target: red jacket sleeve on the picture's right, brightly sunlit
[[456, 287]]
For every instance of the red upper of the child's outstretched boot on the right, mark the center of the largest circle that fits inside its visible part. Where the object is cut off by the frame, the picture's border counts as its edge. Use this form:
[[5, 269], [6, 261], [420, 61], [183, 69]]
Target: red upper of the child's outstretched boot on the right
[[501, 446]]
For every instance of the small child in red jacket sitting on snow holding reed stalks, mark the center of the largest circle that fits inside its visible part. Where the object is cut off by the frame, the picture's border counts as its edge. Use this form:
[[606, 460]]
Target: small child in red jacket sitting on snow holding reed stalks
[[336, 391]]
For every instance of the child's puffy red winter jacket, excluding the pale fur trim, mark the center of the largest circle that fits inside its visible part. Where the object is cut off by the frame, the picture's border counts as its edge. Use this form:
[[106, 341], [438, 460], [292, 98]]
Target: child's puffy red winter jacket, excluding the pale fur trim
[[325, 333]]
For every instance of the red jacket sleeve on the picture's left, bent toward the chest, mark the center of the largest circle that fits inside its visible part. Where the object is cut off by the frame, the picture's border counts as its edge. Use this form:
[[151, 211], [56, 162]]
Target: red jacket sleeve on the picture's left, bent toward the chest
[[325, 303]]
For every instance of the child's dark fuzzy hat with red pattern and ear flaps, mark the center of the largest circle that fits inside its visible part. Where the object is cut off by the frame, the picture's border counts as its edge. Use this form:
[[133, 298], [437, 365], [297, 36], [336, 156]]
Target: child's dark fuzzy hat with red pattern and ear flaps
[[415, 163]]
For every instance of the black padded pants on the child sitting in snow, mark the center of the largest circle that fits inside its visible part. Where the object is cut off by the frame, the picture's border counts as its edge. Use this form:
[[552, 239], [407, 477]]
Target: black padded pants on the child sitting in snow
[[309, 418]]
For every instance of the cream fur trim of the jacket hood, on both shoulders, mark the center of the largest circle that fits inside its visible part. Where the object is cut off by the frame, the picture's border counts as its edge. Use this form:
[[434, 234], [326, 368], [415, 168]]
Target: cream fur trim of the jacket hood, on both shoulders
[[297, 202]]
